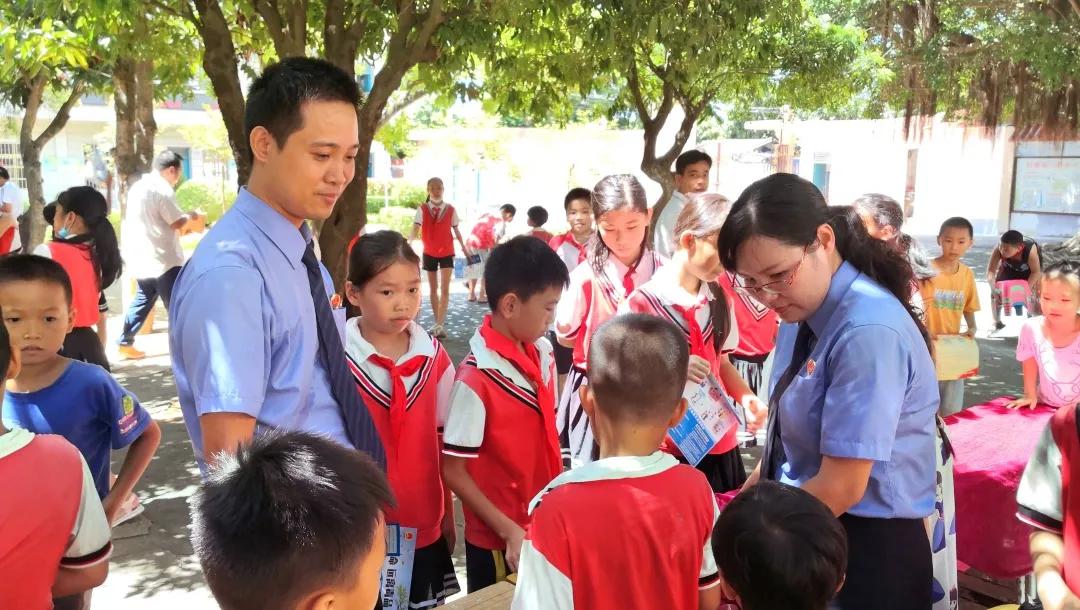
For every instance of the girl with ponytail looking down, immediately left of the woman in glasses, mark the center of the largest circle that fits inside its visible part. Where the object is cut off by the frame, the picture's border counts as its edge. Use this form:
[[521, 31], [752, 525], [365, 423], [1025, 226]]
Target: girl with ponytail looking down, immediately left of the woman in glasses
[[686, 292]]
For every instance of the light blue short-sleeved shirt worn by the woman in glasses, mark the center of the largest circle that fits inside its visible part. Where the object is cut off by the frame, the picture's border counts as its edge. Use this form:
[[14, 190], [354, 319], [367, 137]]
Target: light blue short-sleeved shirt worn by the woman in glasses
[[869, 391]]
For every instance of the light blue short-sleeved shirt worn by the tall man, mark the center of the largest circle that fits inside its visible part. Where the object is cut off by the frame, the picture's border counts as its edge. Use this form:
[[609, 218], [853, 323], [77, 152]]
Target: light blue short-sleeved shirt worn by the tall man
[[242, 329]]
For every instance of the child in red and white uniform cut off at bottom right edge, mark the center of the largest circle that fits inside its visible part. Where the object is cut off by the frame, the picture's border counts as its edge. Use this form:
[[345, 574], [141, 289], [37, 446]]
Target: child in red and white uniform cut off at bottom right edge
[[1048, 501]]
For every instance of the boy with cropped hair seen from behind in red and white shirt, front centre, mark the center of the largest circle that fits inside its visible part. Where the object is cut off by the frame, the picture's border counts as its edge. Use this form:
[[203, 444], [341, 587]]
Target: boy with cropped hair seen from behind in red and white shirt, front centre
[[592, 543]]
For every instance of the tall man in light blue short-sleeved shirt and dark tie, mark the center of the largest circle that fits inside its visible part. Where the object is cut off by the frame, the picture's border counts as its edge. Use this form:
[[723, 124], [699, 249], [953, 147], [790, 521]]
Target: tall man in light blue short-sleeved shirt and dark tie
[[255, 330]]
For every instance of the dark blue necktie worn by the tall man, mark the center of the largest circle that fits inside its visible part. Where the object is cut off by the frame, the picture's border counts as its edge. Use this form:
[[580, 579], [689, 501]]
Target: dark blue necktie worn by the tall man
[[358, 421]]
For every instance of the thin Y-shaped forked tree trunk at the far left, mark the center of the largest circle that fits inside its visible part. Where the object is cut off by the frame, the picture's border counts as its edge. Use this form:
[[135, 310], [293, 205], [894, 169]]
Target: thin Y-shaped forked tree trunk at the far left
[[31, 151]]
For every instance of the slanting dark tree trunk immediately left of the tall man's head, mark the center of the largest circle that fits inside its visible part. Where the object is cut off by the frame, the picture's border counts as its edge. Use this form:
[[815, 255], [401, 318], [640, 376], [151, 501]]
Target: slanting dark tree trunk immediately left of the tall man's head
[[220, 63]]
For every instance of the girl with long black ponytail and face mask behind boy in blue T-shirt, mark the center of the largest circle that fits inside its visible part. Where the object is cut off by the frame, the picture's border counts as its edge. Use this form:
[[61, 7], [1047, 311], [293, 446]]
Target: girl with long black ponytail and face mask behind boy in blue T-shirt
[[85, 245]]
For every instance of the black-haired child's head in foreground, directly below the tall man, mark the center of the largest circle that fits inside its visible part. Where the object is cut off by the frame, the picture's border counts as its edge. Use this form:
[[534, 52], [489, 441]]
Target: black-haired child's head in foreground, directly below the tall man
[[292, 522]]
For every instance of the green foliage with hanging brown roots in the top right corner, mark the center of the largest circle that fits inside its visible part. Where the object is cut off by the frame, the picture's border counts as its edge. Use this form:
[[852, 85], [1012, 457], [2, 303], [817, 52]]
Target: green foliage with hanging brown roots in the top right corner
[[988, 63]]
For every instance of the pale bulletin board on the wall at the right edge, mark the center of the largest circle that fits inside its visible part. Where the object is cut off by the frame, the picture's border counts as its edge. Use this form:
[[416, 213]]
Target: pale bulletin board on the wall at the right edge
[[1047, 185]]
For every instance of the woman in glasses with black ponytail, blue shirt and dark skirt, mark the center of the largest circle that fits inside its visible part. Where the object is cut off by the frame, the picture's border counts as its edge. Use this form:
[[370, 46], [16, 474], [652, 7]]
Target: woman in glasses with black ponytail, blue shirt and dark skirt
[[854, 391]]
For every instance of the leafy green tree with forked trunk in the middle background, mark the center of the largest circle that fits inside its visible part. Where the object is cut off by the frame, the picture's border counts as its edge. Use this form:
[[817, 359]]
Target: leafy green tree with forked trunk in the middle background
[[653, 56]]
